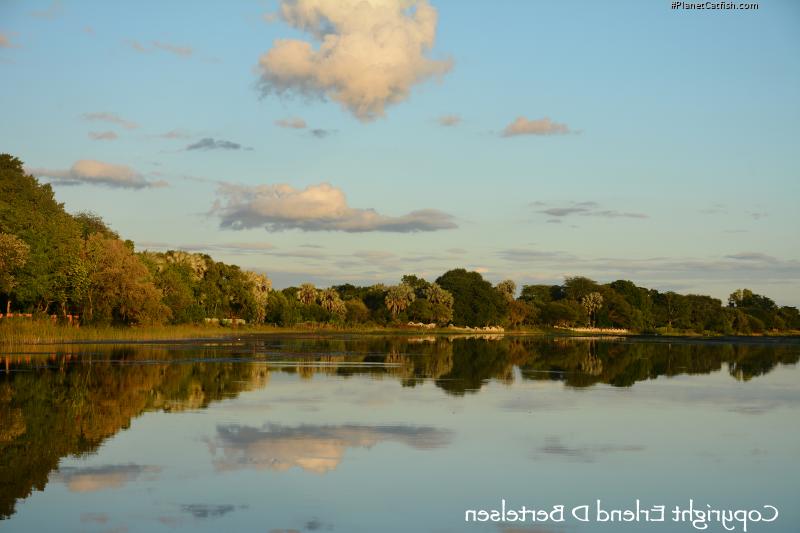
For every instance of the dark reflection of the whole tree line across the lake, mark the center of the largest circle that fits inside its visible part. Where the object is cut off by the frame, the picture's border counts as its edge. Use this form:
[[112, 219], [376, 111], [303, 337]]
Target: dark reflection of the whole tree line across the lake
[[68, 402]]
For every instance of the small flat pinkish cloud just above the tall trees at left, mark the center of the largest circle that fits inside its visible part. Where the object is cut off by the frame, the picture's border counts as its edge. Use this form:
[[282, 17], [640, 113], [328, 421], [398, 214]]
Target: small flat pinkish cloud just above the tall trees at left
[[91, 172]]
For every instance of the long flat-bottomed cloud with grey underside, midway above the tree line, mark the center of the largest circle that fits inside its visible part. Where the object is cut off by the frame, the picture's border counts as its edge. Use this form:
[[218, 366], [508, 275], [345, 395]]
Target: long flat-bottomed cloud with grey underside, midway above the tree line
[[320, 207]]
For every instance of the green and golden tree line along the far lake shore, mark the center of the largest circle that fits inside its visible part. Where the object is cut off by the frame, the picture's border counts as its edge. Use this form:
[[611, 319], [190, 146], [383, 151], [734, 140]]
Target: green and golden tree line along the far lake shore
[[54, 262]]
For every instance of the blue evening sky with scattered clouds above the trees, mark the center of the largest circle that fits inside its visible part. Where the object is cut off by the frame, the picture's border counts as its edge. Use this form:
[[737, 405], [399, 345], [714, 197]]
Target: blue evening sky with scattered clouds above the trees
[[360, 140]]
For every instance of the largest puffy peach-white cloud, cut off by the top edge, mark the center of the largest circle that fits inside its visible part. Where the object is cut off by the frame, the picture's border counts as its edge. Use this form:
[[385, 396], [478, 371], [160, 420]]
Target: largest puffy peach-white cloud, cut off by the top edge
[[370, 53]]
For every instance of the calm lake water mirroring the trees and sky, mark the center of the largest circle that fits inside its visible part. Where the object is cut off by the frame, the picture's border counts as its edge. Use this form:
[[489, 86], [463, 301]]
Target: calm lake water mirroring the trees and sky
[[395, 434]]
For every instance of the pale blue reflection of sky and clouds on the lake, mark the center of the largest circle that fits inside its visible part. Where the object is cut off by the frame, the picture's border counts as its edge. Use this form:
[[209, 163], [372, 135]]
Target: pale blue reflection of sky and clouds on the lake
[[372, 456]]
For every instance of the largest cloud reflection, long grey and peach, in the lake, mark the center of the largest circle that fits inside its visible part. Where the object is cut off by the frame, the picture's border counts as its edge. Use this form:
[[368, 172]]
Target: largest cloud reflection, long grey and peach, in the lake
[[316, 449]]
